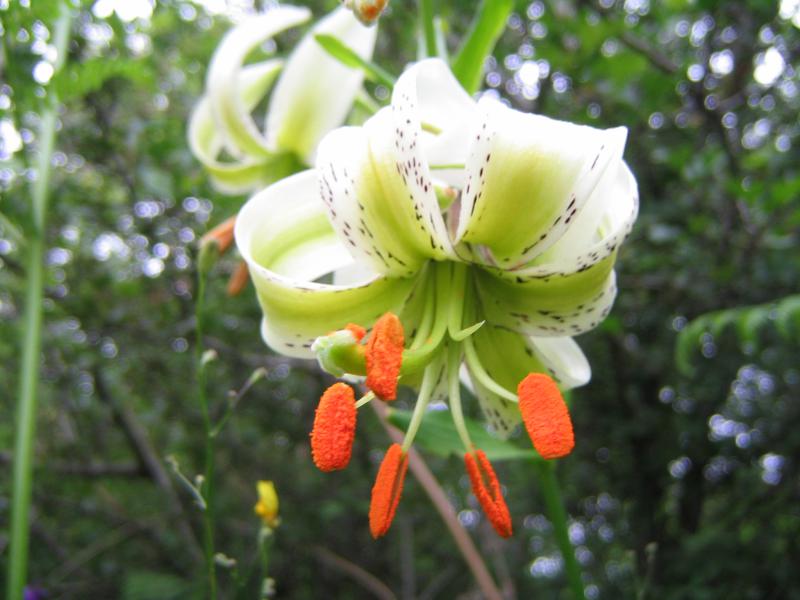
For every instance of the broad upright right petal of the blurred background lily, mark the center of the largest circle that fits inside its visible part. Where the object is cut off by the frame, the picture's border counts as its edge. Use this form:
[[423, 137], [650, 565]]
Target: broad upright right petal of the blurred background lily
[[316, 91]]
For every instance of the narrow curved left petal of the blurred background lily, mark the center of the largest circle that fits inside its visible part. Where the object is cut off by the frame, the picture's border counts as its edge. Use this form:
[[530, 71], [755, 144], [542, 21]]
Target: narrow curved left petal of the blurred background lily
[[240, 132]]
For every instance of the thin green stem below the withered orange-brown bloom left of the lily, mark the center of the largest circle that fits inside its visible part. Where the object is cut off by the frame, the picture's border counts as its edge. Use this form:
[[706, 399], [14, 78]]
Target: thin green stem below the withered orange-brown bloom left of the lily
[[207, 488]]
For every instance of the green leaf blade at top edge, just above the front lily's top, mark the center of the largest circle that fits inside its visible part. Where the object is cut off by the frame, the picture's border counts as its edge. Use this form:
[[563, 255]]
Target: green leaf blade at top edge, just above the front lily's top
[[486, 28]]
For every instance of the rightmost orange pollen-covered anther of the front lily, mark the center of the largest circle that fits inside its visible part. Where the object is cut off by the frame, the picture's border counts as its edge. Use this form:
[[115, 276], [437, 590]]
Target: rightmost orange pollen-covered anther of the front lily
[[546, 416]]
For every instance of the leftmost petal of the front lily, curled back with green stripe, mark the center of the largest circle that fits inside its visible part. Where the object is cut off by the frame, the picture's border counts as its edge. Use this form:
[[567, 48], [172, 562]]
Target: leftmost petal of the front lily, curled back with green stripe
[[284, 235]]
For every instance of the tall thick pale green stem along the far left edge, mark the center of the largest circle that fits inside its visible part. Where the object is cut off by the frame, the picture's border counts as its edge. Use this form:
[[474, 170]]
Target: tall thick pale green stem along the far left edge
[[32, 329]]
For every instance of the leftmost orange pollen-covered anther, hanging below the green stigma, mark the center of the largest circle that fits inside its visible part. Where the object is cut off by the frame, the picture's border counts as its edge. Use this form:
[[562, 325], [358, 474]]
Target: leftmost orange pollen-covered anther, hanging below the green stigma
[[334, 428]]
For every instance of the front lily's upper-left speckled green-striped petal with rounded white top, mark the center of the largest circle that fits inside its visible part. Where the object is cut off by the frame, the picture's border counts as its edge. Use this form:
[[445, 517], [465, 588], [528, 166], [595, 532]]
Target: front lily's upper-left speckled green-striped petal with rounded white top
[[376, 180]]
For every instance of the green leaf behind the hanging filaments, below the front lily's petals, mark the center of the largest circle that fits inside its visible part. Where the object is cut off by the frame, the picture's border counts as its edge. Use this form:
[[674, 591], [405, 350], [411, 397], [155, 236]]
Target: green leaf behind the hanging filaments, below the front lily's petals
[[437, 435]]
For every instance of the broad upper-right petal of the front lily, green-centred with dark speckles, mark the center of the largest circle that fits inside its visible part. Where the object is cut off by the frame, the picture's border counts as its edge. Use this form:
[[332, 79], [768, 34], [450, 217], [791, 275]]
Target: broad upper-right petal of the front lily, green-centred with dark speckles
[[527, 179]]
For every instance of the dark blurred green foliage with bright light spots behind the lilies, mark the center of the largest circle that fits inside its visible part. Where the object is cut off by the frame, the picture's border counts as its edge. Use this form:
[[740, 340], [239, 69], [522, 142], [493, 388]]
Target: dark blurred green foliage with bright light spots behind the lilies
[[684, 483]]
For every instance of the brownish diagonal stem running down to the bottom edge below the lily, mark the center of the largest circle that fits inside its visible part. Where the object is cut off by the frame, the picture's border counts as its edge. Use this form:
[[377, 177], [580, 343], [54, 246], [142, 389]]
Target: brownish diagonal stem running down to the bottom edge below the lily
[[440, 501]]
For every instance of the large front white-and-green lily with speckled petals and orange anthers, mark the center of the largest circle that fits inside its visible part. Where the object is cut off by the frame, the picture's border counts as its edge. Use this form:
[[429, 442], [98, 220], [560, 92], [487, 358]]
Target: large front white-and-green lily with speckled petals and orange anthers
[[462, 238]]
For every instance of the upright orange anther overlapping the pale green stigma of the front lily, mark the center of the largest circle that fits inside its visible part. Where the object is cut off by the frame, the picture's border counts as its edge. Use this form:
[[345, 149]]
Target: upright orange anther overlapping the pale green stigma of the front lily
[[384, 356]]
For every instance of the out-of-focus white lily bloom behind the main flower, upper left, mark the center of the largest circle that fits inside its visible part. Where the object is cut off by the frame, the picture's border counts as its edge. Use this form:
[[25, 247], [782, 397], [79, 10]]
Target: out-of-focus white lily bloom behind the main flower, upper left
[[312, 94]]
